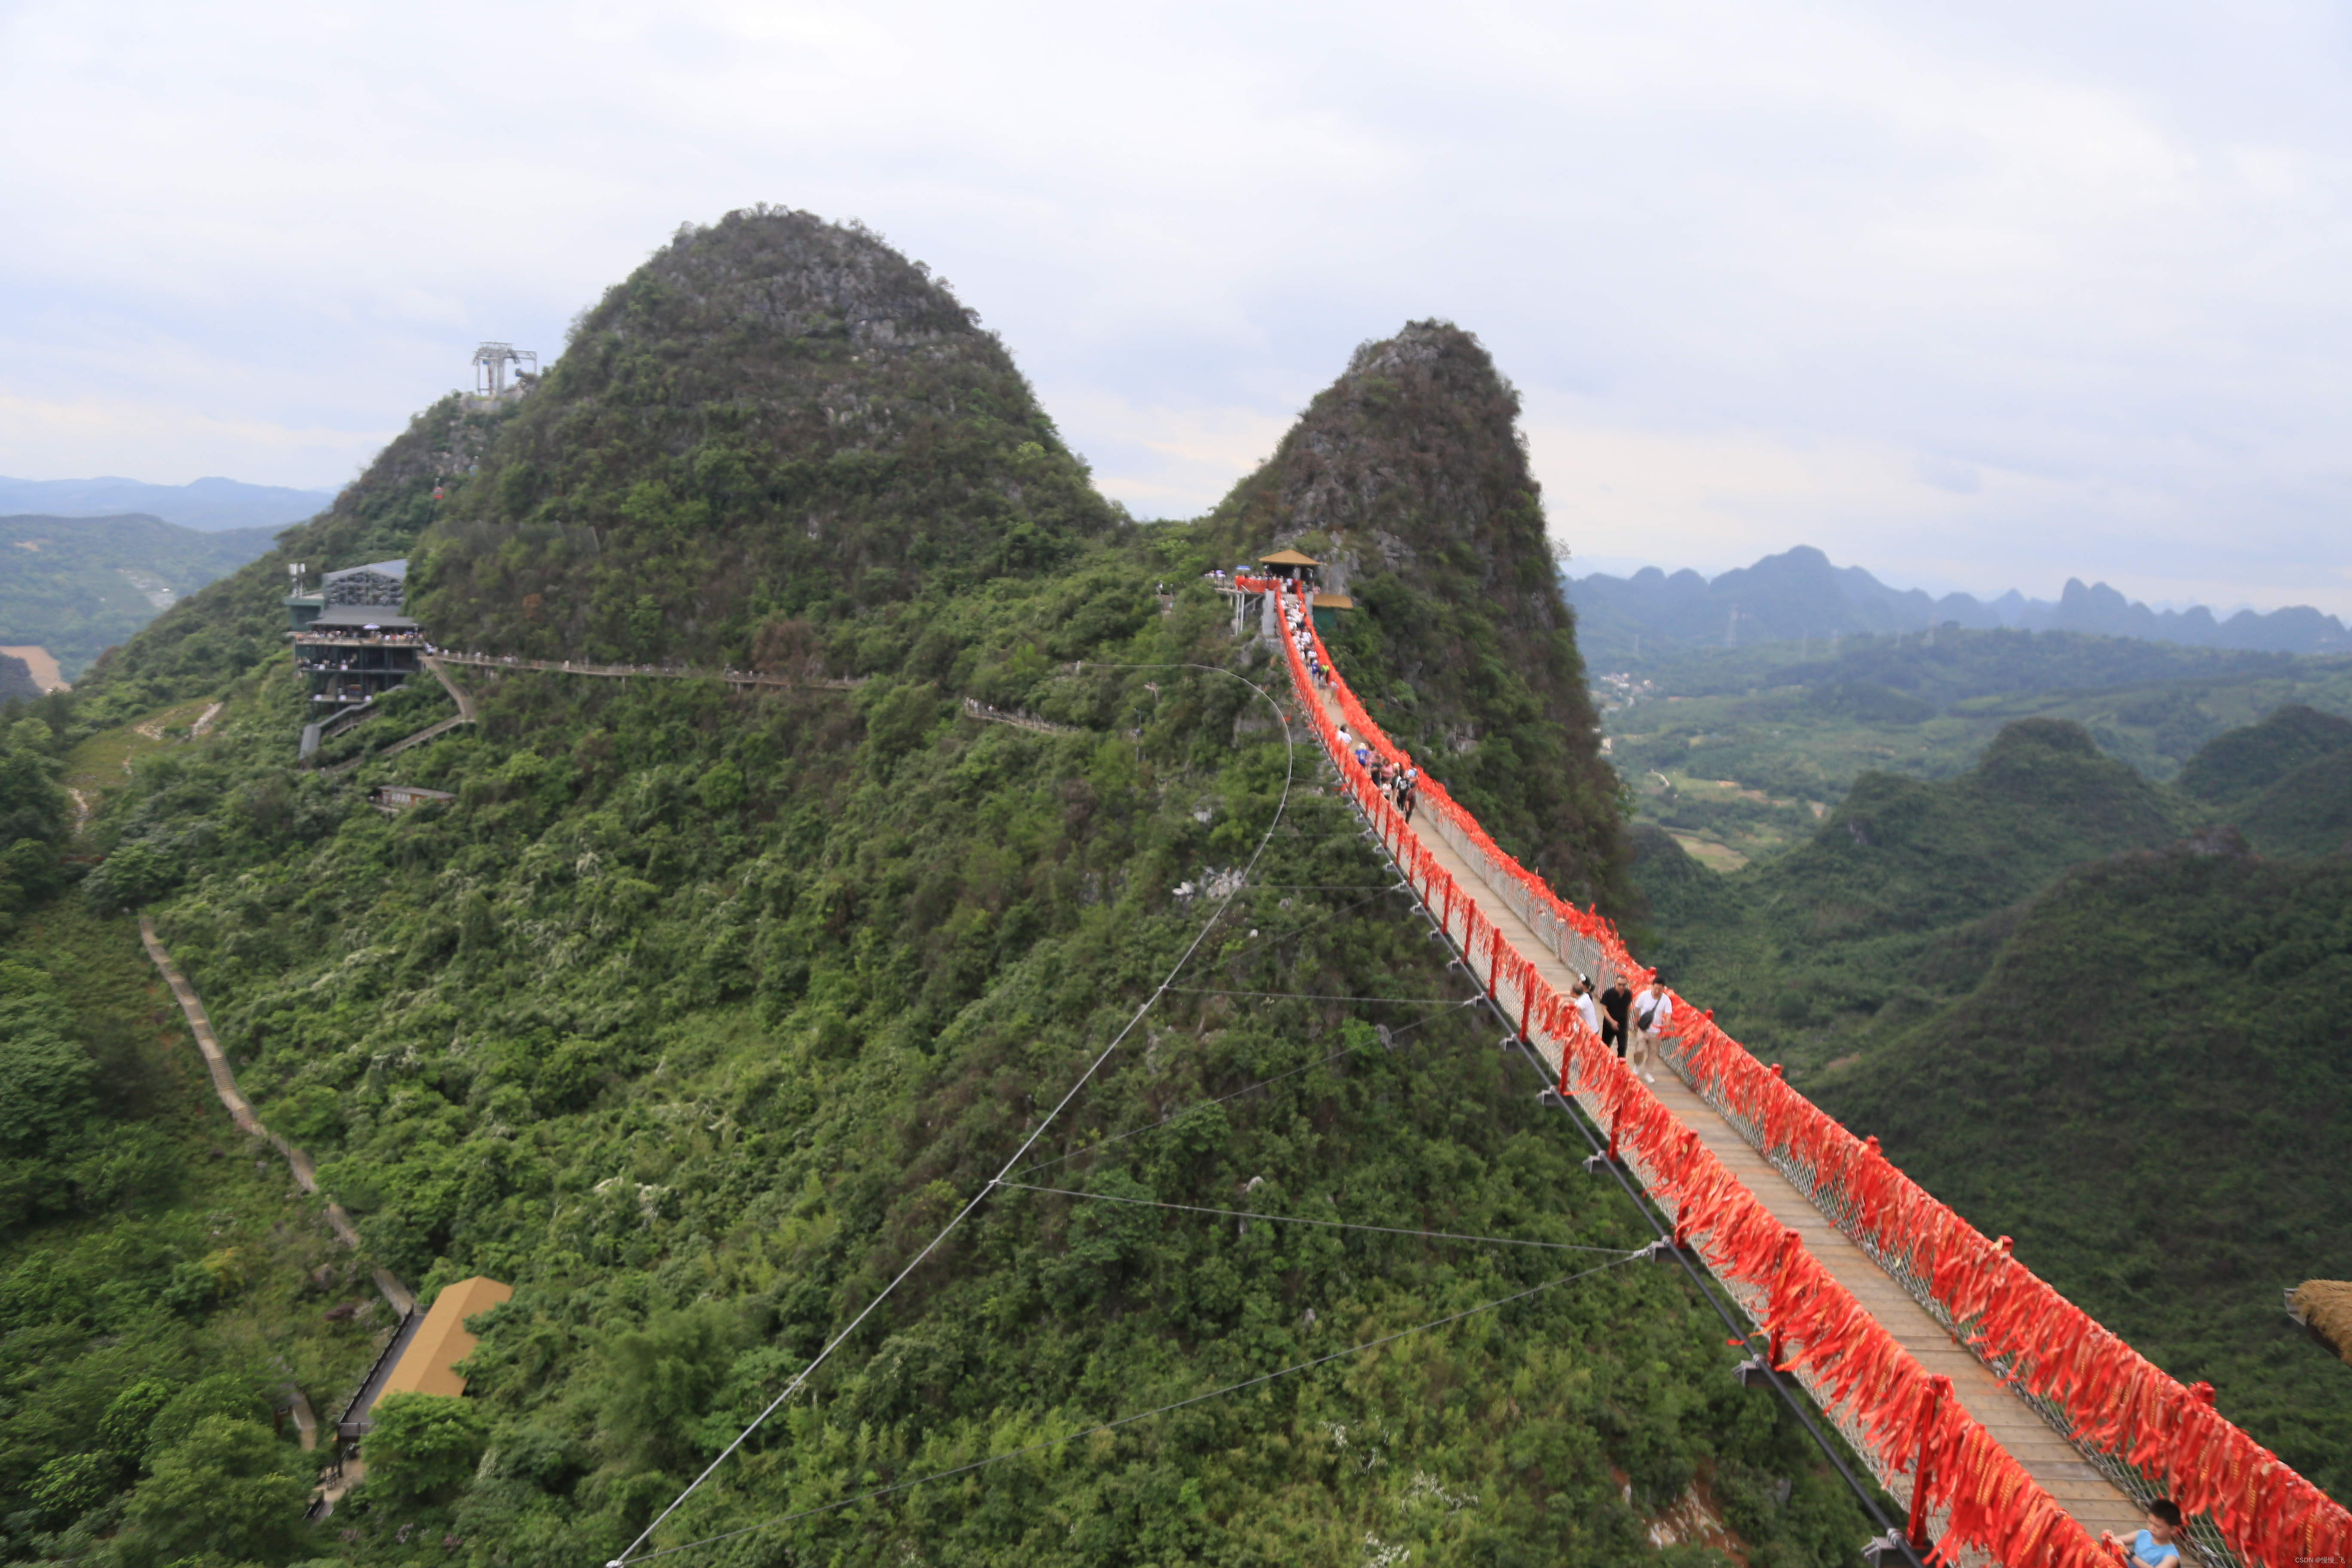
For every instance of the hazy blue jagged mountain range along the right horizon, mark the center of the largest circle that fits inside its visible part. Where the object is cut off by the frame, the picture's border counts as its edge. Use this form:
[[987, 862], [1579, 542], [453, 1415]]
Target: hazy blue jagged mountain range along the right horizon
[[1800, 594]]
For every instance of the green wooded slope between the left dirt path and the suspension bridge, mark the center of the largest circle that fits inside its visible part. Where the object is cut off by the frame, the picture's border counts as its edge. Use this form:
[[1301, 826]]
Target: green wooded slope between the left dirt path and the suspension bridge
[[697, 1014]]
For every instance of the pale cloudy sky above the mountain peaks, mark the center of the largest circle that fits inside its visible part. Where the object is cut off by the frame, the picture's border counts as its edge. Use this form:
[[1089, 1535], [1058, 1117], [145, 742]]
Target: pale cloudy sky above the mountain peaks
[[1979, 297]]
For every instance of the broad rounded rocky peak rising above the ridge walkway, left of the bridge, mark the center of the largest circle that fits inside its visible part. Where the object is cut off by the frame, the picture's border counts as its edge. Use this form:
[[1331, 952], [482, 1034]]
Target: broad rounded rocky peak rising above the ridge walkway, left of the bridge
[[773, 417]]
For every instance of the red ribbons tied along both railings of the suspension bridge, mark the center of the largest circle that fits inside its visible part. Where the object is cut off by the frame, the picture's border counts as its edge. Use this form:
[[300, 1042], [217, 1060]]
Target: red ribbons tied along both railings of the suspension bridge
[[2116, 1398]]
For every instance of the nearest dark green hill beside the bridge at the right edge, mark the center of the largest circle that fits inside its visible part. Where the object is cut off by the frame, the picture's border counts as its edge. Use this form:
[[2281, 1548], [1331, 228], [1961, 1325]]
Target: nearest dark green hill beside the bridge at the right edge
[[2151, 1094]]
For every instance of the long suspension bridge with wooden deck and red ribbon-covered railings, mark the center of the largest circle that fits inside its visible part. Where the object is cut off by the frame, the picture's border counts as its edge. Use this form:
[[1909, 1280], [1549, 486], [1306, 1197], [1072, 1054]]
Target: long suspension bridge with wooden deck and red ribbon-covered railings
[[2012, 1423]]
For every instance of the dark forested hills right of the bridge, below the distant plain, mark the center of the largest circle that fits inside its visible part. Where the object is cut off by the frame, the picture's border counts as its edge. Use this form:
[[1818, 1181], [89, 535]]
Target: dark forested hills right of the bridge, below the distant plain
[[2083, 1012]]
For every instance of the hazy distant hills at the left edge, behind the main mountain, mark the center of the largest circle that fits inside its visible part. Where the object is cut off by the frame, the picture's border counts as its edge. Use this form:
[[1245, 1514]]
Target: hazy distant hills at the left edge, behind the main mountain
[[83, 584]]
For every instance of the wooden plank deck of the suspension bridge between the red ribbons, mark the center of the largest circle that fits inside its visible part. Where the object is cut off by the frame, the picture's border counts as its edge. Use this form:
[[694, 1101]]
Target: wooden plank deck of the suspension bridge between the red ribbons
[[2052, 1461]]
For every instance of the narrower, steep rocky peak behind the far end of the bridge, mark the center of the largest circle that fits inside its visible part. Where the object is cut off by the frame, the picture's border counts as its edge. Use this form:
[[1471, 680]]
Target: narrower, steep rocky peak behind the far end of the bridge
[[1408, 476]]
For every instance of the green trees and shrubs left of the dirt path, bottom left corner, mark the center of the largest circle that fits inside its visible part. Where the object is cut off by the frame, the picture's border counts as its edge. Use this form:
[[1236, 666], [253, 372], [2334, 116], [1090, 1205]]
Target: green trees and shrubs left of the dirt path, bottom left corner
[[154, 1273]]
